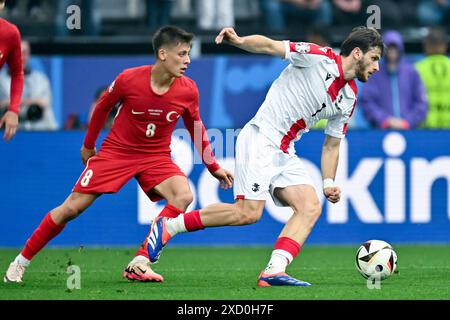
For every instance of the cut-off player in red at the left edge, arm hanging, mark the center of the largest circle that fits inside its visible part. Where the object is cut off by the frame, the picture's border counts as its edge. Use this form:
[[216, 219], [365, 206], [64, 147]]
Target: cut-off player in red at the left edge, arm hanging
[[10, 52]]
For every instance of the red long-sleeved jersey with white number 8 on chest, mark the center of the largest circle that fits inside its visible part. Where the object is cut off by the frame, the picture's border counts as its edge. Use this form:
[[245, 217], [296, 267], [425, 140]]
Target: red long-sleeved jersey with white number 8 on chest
[[146, 120]]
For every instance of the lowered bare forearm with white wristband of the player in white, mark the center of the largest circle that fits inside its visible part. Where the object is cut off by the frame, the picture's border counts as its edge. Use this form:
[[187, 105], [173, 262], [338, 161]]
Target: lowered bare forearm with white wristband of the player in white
[[329, 163]]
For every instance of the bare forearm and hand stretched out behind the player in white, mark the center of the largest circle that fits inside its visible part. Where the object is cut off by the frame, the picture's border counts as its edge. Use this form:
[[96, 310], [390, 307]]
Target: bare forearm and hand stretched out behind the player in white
[[253, 43]]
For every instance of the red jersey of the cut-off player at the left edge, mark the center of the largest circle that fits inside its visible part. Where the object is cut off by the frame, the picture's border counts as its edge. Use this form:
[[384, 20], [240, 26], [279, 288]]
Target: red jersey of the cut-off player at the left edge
[[11, 53]]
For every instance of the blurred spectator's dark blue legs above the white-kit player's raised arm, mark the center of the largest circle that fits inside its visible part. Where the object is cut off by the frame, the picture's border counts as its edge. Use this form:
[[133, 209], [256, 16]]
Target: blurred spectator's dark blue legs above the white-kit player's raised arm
[[307, 12]]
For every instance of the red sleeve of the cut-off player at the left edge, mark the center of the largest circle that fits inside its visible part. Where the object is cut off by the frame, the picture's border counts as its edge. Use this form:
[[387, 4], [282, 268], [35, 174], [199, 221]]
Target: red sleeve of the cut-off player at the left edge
[[15, 66]]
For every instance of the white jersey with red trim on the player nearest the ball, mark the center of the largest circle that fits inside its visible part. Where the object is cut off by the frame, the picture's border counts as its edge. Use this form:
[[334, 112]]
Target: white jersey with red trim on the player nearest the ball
[[310, 88]]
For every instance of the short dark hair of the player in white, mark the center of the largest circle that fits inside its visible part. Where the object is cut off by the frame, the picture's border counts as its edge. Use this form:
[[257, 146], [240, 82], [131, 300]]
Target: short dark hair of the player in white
[[365, 38]]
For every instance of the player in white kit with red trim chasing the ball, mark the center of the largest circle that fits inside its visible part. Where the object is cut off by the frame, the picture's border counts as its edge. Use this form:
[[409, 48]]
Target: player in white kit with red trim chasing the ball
[[317, 84]]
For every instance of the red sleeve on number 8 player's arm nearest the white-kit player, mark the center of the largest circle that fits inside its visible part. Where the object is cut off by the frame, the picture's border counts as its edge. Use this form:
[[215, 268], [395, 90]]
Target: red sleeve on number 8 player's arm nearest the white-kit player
[[194, 124]]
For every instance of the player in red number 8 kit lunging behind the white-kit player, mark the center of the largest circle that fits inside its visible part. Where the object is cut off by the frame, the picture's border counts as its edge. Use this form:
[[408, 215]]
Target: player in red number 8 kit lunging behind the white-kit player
[[138, 145]]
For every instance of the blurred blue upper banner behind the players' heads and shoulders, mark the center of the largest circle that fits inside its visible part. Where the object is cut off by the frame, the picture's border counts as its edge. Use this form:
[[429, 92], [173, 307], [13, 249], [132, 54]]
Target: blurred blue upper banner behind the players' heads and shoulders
[[232, 87]]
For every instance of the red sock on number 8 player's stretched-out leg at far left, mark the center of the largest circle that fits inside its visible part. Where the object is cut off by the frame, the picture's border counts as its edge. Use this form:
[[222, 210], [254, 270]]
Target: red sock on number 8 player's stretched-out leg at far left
[[46, 231]]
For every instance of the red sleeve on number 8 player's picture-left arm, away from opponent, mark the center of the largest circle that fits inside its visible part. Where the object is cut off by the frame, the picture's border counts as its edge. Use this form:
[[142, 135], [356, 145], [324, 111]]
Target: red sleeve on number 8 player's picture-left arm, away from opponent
[[111, 96]]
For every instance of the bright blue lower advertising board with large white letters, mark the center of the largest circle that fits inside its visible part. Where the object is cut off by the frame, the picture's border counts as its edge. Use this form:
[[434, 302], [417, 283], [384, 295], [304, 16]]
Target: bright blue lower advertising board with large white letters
[[395, 187]]
